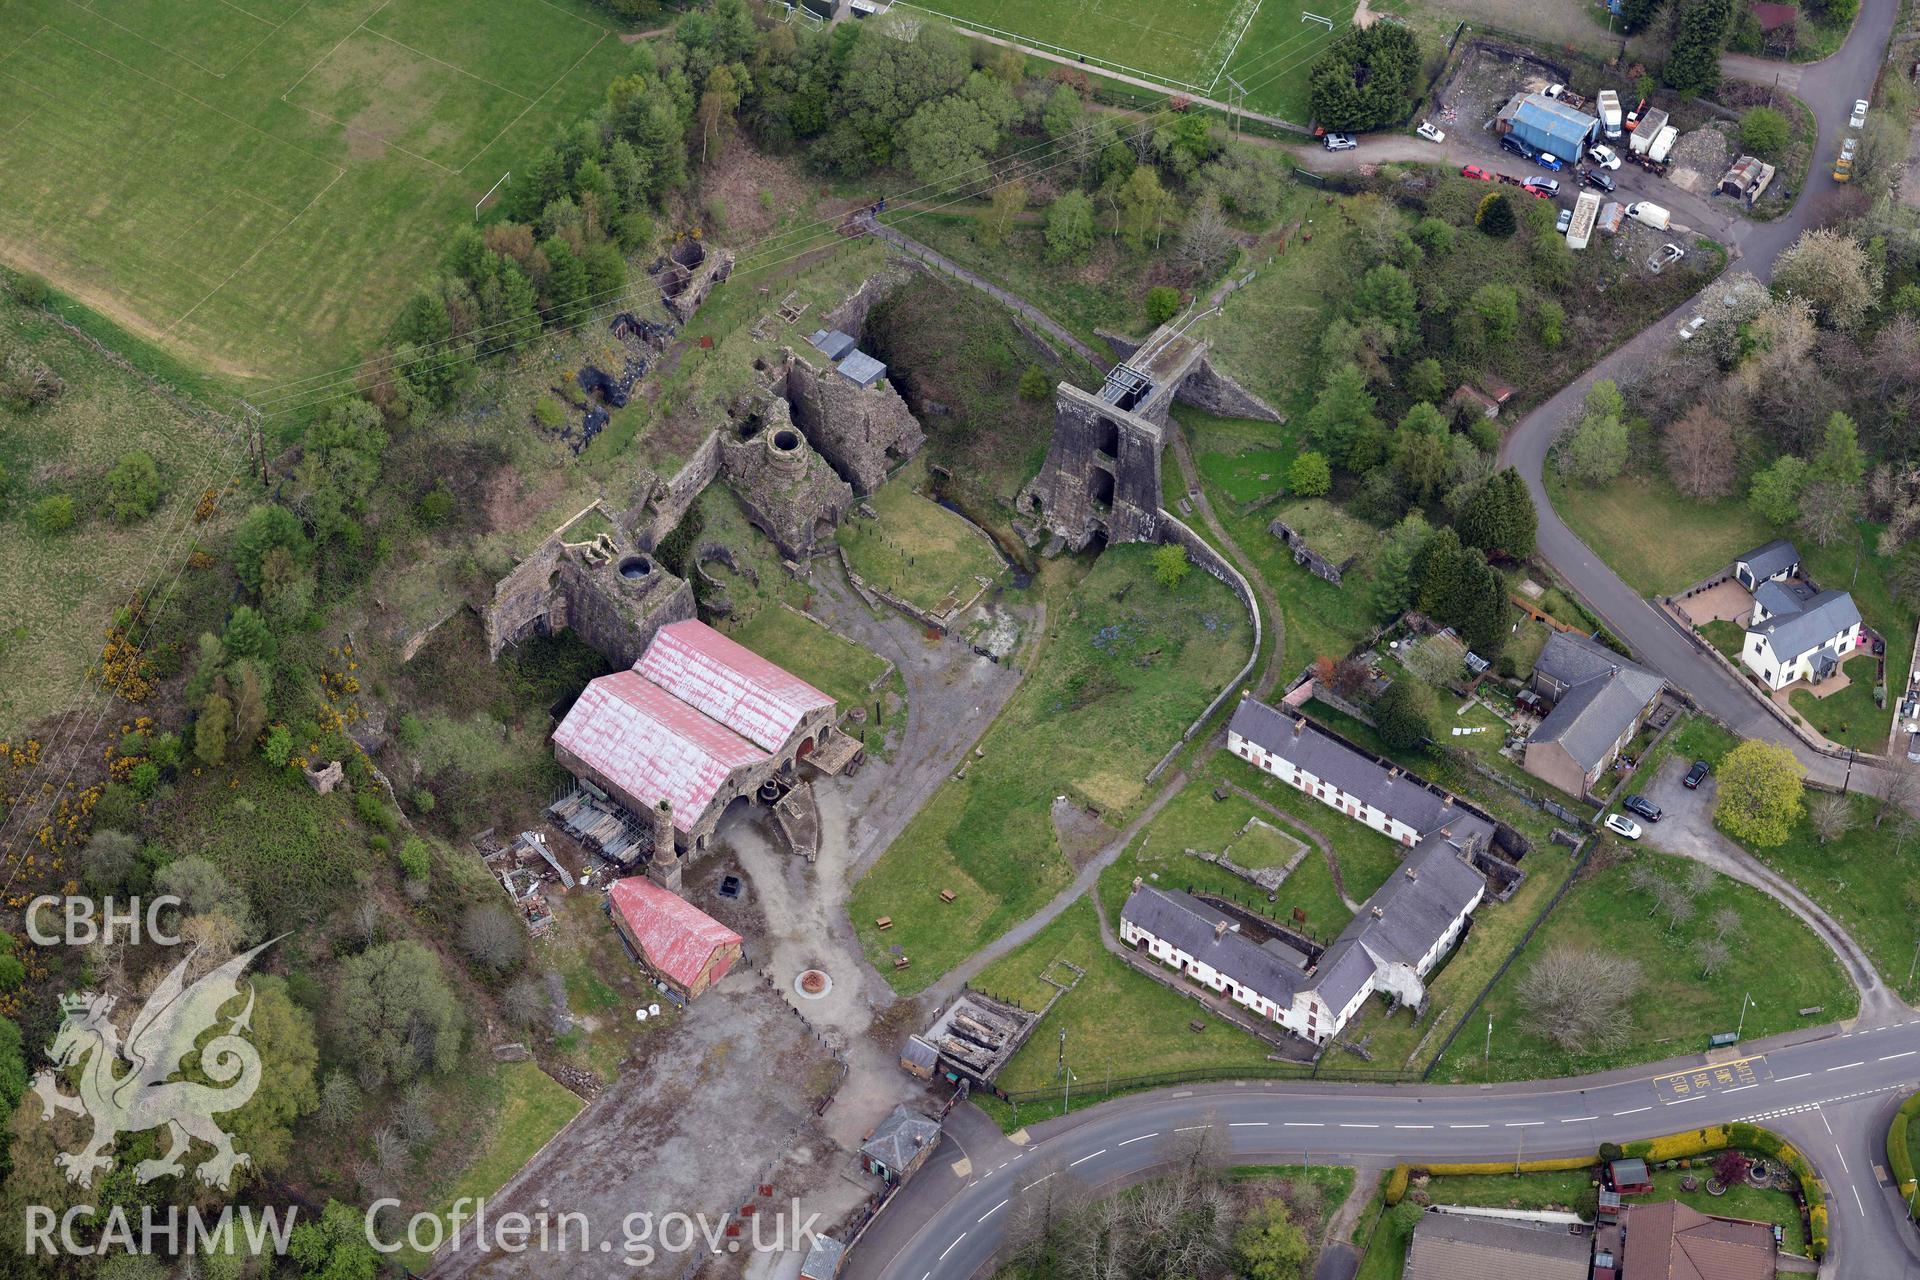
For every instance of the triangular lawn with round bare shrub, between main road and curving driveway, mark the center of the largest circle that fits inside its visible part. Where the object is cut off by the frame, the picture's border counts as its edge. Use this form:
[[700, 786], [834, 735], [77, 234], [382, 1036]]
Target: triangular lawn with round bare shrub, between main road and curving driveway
[[1775, 959]]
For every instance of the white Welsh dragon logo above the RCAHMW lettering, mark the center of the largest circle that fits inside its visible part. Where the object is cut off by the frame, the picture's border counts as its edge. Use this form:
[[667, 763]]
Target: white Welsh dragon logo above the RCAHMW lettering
[[164, 1033]]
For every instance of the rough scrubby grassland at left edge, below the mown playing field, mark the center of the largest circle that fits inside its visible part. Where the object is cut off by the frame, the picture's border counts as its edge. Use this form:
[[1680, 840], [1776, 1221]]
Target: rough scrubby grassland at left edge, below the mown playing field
[[59, 592]]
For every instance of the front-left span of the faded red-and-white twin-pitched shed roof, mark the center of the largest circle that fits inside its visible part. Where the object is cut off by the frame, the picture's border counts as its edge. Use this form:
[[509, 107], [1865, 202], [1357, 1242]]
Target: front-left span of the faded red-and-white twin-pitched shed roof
[[652, 746]]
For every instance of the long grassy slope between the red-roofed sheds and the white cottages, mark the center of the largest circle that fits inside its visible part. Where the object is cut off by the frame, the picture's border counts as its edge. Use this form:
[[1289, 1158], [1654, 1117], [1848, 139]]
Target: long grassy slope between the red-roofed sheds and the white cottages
[[1124, 669]]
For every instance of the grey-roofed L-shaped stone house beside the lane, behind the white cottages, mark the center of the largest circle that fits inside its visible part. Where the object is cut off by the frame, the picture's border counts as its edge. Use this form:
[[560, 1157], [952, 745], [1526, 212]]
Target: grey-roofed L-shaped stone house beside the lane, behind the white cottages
[[1600, 701]]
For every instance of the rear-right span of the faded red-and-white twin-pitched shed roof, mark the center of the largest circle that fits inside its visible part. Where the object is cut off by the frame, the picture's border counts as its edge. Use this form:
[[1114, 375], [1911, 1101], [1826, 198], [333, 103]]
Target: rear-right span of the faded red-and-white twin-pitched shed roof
[[732, 684]]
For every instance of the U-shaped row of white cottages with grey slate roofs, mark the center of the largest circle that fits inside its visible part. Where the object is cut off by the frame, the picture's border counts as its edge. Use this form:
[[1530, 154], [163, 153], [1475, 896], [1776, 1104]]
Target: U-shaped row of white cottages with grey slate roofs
[[1397, 939]]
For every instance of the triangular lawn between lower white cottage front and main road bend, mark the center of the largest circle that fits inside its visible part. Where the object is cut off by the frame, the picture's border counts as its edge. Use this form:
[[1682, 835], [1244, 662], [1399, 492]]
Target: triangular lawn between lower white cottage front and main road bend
[[1120, 1024]]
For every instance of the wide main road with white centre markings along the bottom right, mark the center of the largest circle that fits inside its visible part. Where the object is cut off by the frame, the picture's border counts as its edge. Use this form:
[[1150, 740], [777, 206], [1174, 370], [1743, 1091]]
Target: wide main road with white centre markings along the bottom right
[[1831, 1097]]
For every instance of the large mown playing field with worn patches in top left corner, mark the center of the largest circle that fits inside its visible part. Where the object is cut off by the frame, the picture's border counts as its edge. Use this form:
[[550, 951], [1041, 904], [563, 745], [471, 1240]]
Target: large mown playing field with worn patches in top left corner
[[258, 185]]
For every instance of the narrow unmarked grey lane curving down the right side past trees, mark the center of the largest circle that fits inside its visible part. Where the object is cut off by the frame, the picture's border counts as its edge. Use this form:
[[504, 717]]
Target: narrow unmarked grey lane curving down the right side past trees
[[1831, 89]]
